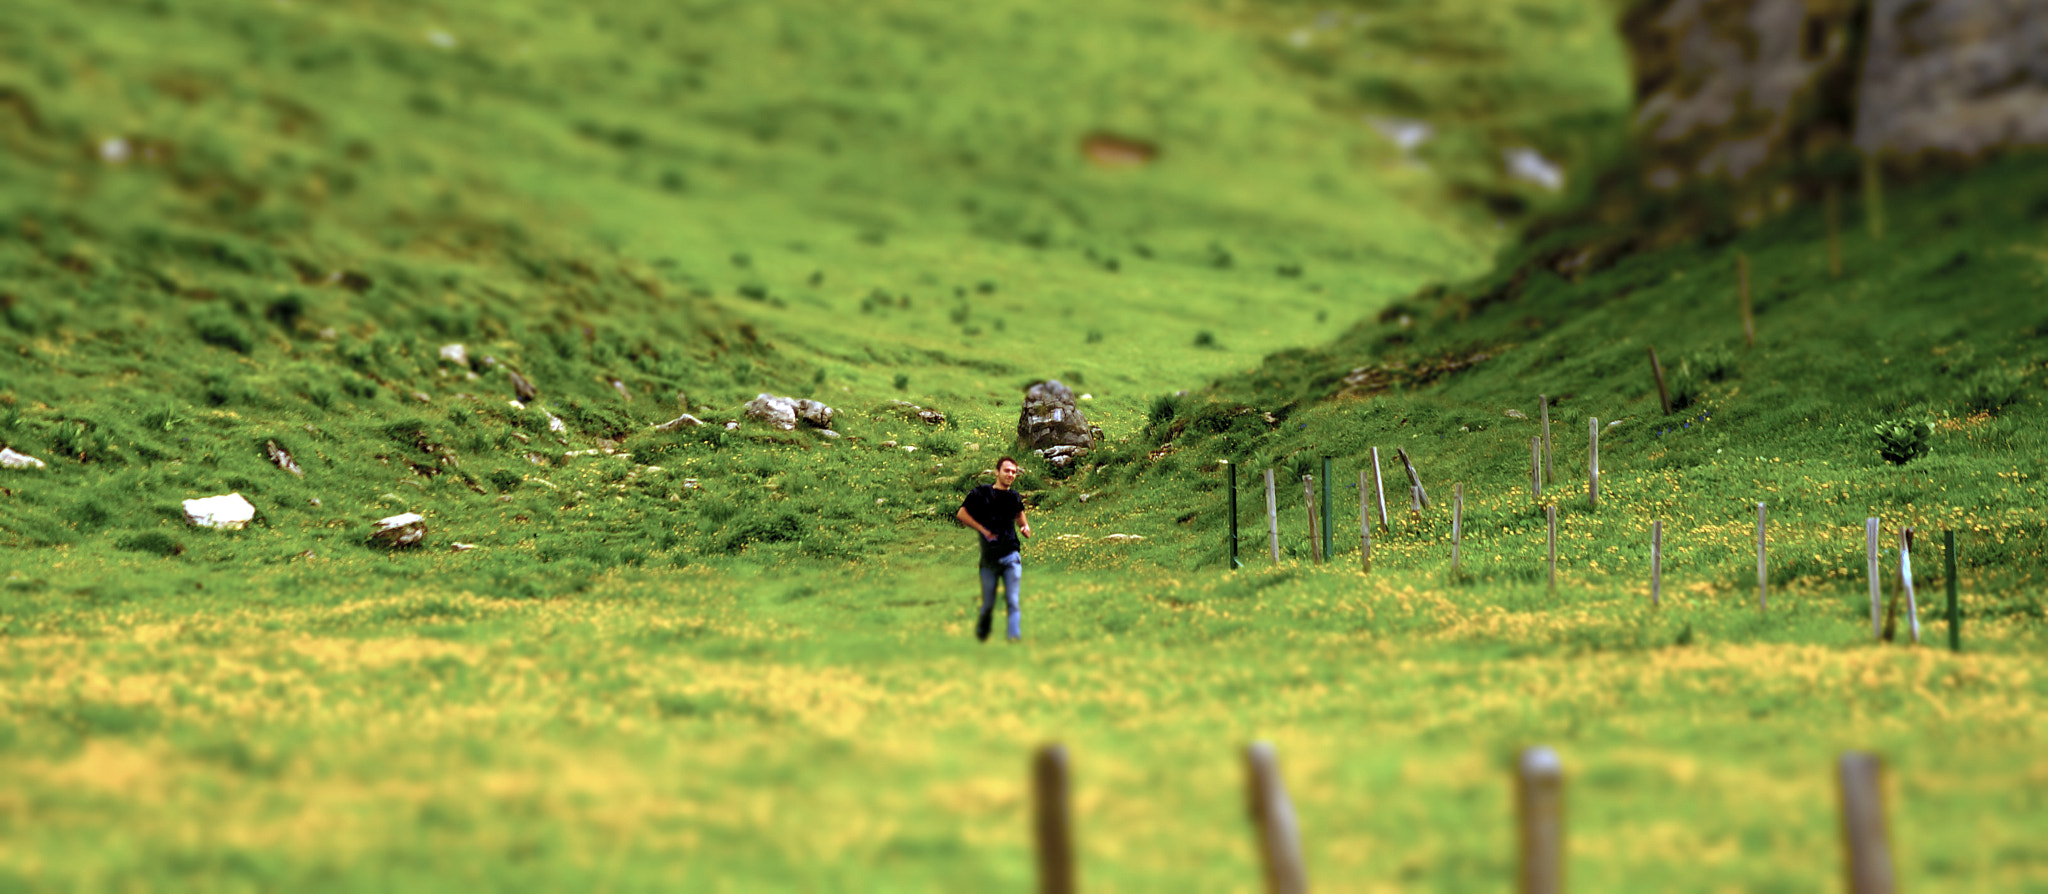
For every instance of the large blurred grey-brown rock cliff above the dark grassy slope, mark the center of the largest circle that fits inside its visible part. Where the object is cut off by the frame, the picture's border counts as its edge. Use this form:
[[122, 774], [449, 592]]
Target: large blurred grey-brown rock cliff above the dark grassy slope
[[1736, 89]]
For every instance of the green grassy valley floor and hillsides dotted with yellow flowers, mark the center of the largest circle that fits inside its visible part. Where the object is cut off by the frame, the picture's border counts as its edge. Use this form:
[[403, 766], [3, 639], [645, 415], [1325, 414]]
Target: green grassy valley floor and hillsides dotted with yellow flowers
[[742, 658]]
